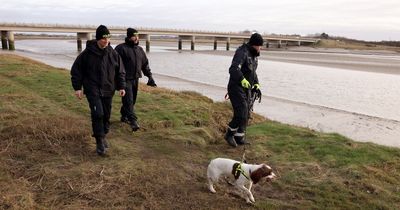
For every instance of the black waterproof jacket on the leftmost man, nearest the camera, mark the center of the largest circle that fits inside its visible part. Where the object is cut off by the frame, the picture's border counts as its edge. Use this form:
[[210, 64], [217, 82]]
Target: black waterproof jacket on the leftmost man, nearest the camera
[[99, 71]]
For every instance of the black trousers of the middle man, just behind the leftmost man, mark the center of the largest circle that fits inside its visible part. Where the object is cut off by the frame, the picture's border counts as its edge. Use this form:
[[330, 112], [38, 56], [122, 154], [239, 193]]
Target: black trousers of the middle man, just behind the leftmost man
[[129, 100]]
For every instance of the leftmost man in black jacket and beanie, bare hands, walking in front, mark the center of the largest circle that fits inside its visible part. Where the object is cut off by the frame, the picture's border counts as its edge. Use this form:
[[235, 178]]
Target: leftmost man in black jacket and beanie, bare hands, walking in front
[[99, 70]]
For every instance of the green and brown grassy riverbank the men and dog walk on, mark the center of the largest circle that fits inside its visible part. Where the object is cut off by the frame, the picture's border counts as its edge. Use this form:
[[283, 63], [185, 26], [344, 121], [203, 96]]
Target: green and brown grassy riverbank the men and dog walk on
[[48, 159]]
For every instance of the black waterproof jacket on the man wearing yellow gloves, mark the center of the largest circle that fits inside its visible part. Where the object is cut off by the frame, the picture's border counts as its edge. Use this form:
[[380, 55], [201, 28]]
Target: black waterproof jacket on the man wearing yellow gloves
[[244, 65]]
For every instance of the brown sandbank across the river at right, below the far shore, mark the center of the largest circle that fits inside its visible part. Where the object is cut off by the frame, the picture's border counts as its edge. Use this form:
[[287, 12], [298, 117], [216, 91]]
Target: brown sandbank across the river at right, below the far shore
[[387, 62]]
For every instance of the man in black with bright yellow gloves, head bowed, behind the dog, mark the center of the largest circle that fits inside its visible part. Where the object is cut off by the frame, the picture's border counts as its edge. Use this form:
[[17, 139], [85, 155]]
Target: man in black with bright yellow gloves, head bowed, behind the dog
[[243, 78]]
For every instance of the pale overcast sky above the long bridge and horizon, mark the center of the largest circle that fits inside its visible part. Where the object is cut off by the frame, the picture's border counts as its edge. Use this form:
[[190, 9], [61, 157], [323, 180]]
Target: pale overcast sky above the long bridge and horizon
[[360, 19]]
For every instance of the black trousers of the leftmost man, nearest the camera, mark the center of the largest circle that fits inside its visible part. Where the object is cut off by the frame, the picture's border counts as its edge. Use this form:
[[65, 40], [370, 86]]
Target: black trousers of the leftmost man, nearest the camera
[[100, 112]]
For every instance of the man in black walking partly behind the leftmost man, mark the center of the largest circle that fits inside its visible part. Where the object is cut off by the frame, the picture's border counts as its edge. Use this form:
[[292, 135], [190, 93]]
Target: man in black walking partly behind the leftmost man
[[135, 62]]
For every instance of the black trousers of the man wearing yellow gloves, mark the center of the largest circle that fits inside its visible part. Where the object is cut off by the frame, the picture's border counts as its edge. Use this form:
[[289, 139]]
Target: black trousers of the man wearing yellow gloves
[[238, 98]]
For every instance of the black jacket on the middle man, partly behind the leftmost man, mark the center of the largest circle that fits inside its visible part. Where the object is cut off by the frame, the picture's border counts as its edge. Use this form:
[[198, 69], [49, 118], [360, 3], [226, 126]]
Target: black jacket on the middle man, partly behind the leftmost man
[[134, 58]]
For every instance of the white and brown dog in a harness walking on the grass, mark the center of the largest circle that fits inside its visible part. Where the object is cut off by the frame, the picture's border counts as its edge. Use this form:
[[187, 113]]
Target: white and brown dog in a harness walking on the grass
[[243, 174]]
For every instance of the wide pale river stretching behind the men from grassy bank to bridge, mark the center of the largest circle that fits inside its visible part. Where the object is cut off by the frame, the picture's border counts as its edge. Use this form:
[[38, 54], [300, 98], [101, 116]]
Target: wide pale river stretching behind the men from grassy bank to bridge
[[359, 104]]
